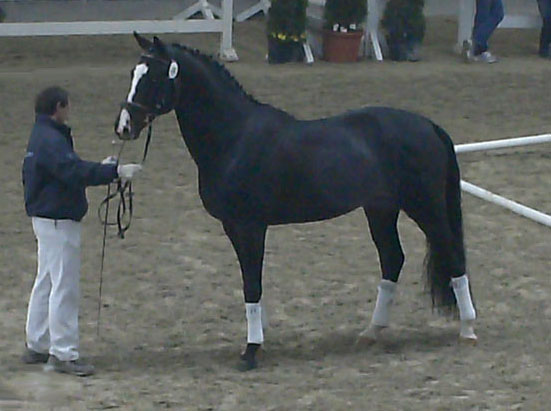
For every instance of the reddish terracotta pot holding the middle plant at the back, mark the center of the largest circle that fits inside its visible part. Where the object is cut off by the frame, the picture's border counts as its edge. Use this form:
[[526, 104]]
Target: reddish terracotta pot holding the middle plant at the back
[[341, 47]]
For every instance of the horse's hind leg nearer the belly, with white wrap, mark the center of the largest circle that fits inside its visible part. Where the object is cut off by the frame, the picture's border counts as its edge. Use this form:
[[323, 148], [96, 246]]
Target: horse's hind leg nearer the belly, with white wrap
[[384, 231]]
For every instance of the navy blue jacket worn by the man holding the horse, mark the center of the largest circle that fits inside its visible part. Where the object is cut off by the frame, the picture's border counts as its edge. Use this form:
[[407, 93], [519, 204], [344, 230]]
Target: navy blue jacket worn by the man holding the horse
[[54, 177]]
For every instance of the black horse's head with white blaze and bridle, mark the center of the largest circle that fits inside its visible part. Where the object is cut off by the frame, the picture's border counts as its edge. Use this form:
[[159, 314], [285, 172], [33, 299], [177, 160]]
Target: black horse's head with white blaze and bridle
[[153, 89]]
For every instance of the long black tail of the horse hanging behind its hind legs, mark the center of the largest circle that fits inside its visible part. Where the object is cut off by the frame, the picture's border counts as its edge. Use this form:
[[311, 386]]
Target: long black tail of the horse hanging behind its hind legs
[[441, 263]]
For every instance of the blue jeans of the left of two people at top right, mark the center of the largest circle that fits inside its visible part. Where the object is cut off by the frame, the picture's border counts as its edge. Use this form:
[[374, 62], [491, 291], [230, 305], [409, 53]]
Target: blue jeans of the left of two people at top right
[[489, 14]]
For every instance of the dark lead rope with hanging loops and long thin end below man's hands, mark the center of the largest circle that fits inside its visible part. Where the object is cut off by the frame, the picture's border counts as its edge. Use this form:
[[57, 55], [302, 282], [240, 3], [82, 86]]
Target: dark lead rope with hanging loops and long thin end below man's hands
[[121, 212]]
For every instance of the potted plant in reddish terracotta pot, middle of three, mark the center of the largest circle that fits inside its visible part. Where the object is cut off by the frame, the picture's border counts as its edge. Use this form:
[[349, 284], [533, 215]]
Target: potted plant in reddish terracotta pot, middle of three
[[343, 21]]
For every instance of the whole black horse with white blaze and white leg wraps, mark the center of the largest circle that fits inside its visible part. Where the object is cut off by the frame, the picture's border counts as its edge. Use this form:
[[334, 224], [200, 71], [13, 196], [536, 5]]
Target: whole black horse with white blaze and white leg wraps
[[259, 166]]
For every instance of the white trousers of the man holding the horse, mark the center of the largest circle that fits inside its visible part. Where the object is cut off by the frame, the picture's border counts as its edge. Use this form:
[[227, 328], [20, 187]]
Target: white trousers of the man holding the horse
[[52, 318]]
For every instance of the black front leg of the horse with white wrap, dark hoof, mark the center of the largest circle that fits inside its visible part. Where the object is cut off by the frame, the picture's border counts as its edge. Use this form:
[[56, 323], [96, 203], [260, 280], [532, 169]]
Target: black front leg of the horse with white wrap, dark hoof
[[248, 241]]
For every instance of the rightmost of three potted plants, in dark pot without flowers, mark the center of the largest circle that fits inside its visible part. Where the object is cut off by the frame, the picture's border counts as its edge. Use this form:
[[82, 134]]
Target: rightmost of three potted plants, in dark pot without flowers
[[404, 23]]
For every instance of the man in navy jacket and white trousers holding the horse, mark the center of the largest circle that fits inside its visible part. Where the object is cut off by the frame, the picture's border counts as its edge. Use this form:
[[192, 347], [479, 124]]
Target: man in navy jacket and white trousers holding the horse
[[55, 181]]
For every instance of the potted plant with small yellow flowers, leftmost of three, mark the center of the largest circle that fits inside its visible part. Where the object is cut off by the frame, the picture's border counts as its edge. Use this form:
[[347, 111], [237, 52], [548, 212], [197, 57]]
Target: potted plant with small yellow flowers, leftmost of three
[[286, 30]]
